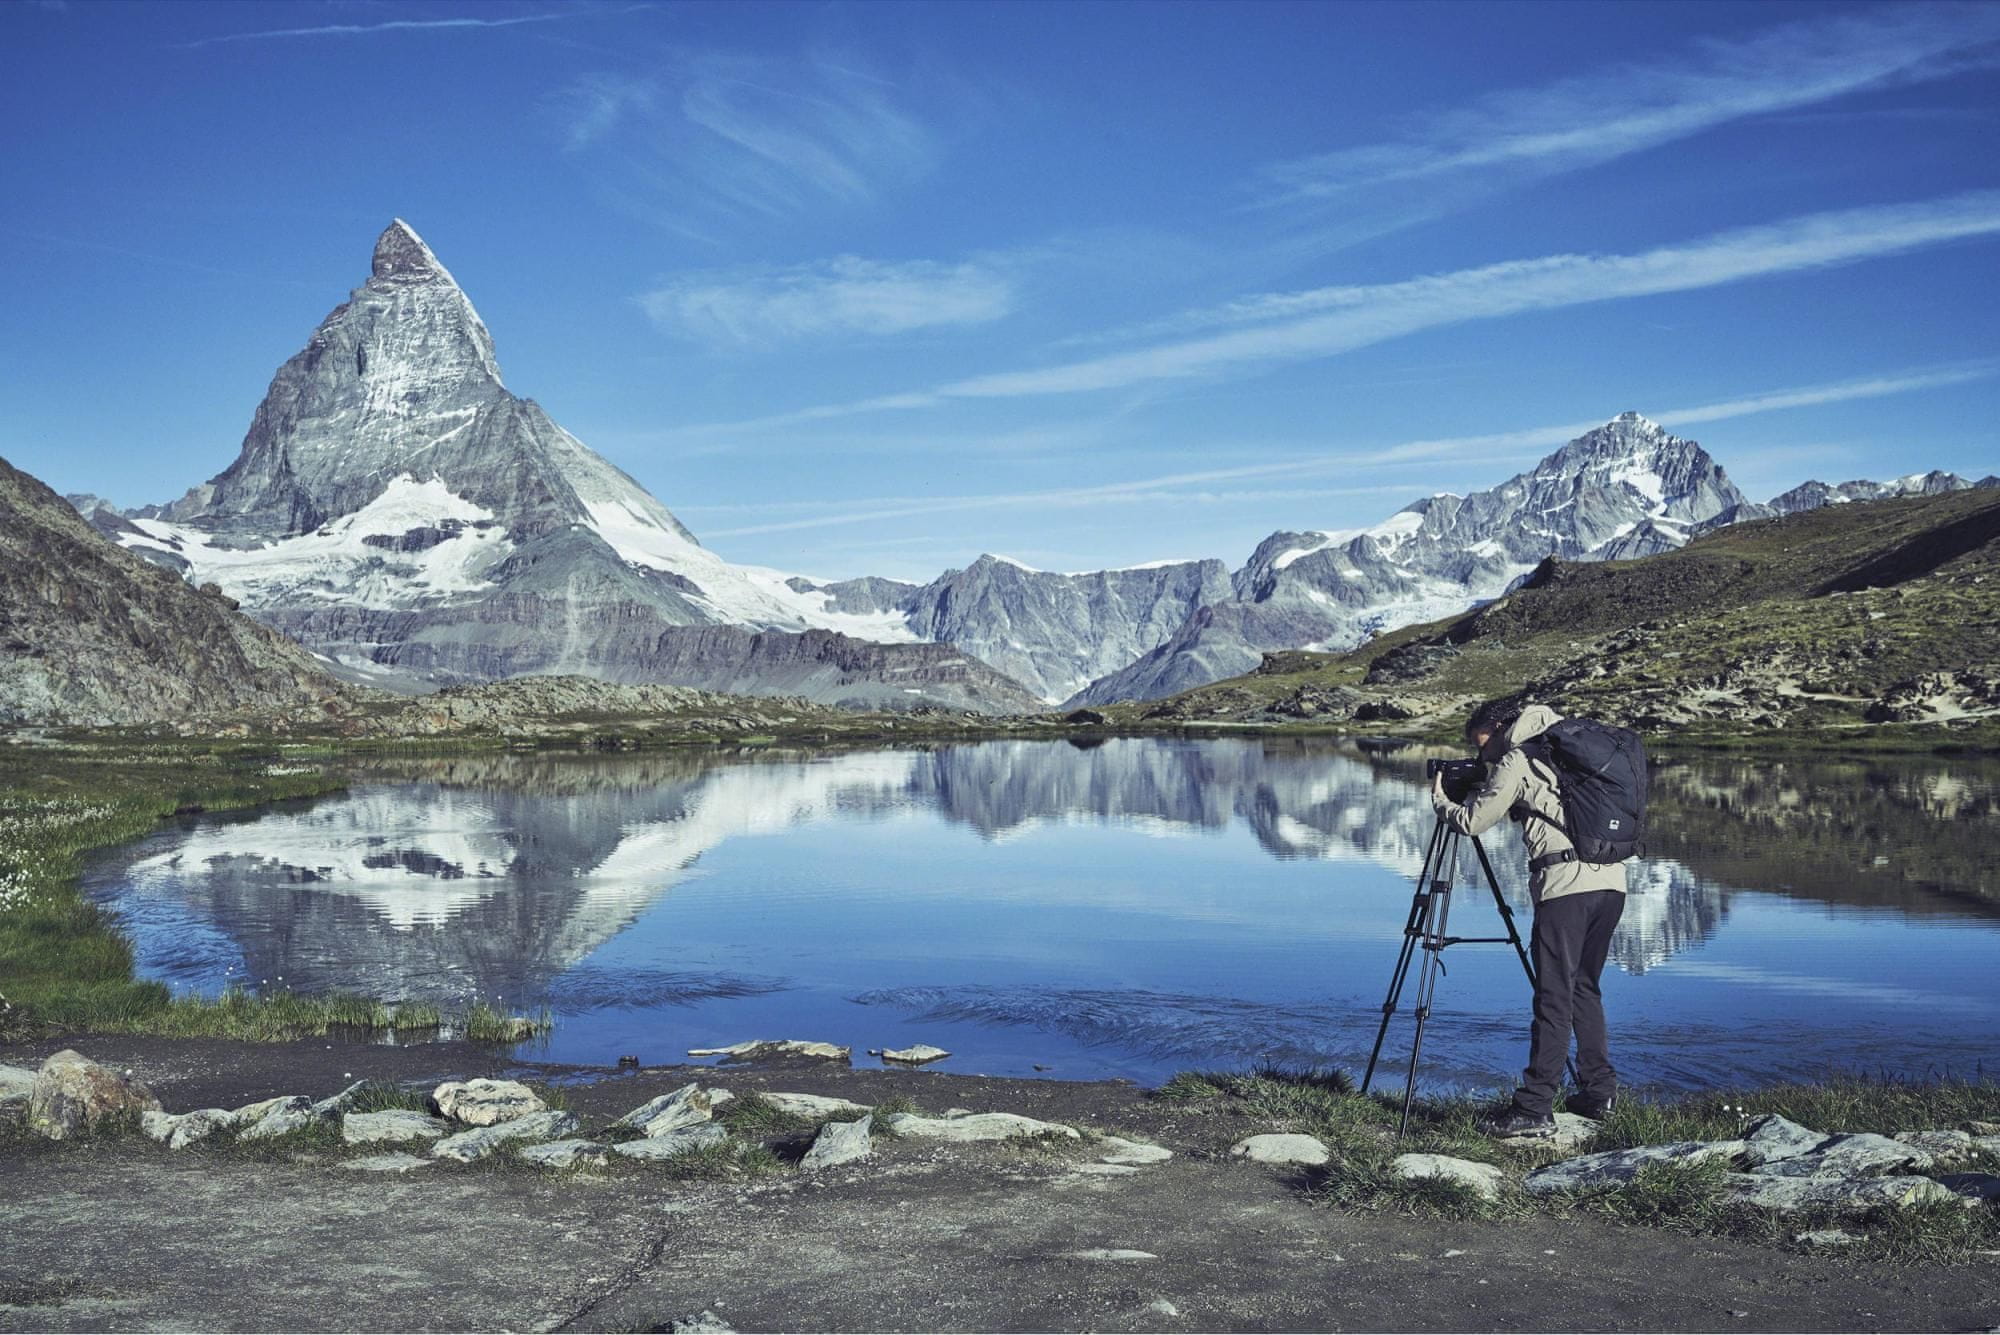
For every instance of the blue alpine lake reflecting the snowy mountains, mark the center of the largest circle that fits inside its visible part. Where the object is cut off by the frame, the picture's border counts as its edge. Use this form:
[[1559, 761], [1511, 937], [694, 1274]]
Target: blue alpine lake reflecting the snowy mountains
[[1091, 908]]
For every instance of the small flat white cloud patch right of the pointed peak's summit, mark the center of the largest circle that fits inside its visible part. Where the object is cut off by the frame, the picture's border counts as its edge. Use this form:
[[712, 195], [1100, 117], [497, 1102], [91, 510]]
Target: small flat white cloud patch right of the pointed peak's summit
[[837, 297]]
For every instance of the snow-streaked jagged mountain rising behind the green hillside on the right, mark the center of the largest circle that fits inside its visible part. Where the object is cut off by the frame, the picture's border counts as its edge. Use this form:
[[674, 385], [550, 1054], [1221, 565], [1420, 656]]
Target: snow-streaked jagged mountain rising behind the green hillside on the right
[[1629, 489]]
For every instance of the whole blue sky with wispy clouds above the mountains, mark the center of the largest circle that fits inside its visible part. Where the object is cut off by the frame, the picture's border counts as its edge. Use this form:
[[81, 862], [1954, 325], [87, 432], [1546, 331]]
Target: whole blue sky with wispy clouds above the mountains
[[873, 289]]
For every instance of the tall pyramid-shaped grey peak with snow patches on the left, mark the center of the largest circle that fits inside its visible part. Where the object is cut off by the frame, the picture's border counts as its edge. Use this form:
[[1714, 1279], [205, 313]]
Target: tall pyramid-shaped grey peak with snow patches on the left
[[403, 513]]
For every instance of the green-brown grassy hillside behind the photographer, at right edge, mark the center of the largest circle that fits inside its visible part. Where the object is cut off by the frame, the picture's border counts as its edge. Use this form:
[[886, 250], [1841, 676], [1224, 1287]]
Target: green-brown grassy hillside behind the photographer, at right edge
[[1833, 619]]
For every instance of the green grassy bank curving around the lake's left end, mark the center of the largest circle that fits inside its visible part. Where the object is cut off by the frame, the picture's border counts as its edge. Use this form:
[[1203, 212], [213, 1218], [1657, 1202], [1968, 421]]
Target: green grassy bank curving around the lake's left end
[[63, 962]]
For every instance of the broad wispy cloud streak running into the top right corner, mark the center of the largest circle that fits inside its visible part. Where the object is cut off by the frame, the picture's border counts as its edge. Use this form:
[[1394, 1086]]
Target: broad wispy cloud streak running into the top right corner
[[1627, 109]]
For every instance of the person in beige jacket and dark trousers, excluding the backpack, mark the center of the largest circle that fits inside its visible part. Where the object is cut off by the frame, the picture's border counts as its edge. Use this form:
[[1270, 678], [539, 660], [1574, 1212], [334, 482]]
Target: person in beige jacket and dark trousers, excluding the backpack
[[1577, 906]]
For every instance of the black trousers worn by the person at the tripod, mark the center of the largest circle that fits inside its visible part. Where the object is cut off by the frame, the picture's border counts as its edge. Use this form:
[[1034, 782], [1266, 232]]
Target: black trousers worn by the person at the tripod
[[1571, 938]]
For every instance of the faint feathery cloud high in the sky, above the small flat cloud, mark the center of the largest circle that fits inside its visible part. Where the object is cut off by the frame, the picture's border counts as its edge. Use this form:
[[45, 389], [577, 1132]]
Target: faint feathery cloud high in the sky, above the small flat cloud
[[727, 137]]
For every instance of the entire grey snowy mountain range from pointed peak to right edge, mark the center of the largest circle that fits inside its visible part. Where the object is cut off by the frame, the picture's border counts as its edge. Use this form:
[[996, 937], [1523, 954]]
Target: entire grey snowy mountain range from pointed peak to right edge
[[411, 521]]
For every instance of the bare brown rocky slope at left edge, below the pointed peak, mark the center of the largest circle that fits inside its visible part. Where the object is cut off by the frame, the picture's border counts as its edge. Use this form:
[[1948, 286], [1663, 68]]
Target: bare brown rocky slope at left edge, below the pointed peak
[[95, 637]]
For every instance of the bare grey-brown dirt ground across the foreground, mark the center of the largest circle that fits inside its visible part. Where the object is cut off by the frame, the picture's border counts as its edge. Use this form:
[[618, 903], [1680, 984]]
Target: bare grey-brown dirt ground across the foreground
[[127, 1236]]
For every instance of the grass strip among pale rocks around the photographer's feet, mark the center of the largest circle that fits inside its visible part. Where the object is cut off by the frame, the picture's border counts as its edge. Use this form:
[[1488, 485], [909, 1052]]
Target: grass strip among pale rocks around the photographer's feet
[[1361, 1132]]
